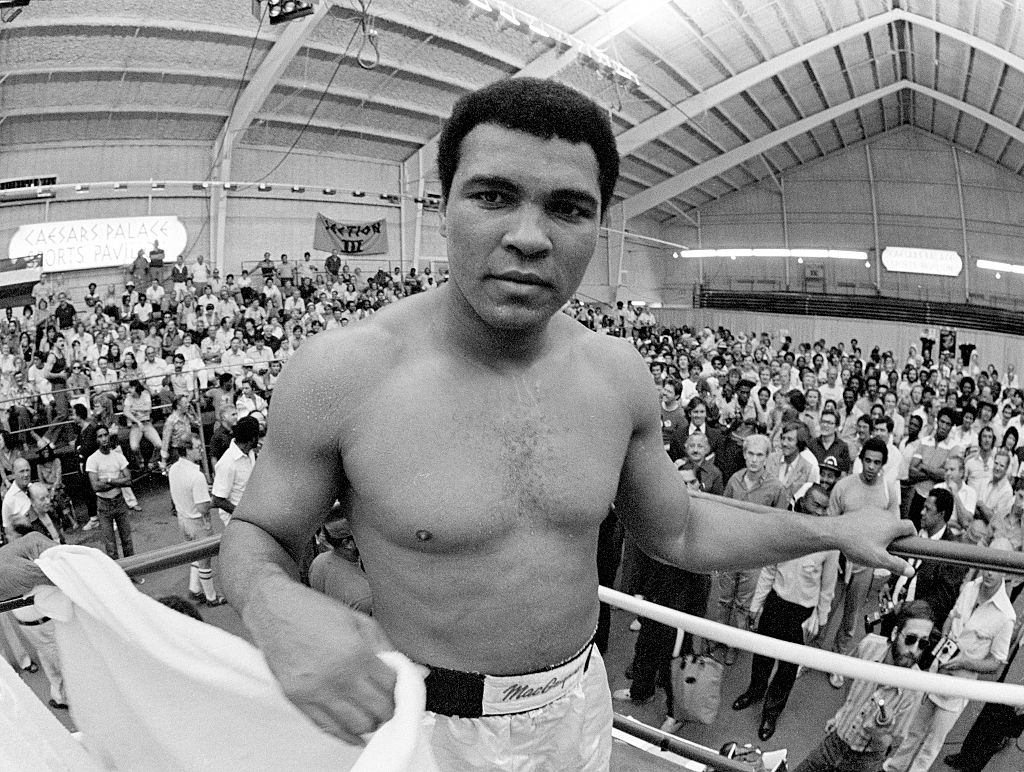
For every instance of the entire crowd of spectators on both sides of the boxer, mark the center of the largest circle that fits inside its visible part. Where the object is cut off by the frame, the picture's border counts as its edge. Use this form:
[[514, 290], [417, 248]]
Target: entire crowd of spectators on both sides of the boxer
[[178, 352]]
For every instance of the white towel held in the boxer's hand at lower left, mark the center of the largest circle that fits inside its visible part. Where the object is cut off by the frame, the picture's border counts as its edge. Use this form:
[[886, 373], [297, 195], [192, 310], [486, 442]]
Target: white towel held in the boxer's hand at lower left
[[153, 690]]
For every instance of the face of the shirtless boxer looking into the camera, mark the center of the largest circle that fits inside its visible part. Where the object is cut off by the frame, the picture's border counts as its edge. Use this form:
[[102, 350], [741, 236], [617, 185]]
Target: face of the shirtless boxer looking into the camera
[[521, 236]]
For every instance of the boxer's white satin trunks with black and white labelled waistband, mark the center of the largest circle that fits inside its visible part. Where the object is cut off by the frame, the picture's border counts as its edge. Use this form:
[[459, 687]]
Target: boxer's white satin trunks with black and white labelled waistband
[[557, 719]]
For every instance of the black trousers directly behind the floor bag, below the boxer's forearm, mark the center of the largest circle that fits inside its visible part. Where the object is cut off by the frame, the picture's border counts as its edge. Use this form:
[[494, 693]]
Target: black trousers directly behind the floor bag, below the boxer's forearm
[[682, 591]]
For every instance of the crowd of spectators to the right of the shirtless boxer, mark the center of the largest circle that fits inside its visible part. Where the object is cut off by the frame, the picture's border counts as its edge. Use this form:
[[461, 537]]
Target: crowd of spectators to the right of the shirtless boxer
[[829, 428]]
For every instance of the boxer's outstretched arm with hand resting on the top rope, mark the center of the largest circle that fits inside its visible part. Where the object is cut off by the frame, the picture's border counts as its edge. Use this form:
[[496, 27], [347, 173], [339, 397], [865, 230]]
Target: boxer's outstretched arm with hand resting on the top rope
[[703, 533]]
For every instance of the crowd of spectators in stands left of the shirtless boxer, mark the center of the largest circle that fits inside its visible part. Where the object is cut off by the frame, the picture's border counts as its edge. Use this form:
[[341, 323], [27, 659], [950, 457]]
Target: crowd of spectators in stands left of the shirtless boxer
[[170, 352]]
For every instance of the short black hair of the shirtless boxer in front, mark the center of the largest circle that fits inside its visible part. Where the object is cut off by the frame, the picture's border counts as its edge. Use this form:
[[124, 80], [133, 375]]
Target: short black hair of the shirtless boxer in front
[[544, 109]]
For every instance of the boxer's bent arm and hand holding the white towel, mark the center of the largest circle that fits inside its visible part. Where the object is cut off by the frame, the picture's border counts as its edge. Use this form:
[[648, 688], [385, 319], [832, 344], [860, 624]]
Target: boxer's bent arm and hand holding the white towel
[[324, 655]]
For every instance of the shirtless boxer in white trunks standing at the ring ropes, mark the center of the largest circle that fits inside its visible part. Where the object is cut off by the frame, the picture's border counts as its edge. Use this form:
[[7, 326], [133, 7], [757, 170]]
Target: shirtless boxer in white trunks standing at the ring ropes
[[516, 430]]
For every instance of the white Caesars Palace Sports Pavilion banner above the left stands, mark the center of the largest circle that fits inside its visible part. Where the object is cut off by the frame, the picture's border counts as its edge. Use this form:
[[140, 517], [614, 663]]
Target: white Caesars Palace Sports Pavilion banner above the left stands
[[79, 245]]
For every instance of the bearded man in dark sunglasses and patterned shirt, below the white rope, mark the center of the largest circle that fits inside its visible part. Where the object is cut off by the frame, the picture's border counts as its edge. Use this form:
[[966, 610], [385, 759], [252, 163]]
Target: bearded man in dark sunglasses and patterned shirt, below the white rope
[[875, 717]]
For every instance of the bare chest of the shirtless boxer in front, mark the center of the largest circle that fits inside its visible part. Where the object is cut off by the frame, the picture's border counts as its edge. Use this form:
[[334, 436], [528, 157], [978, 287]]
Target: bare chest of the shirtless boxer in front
[[470, 460]]
